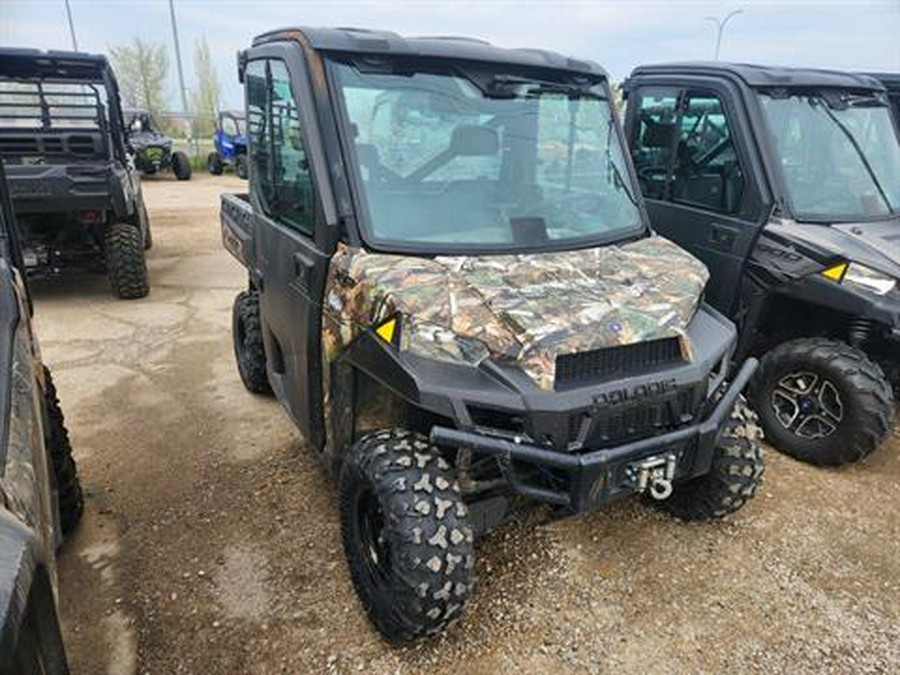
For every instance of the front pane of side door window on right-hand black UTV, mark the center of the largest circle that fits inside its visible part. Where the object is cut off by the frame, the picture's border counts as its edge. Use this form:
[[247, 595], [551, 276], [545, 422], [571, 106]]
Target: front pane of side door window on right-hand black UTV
[[706, 171]]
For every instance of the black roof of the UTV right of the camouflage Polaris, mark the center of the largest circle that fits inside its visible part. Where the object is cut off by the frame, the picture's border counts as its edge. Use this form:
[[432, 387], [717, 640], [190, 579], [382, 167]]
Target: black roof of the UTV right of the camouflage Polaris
[[767, 76]]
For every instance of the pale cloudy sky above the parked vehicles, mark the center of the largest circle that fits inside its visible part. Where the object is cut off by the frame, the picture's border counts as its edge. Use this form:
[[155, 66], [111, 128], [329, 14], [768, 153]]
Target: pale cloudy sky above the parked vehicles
[[619, 34]]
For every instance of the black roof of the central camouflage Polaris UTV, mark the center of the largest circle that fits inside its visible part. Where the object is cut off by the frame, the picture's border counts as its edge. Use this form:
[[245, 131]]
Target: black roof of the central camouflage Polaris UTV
[[362, 41]]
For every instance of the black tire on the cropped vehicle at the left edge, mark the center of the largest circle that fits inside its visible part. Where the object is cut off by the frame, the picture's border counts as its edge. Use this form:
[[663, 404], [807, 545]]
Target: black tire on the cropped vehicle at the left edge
[[68, 486]]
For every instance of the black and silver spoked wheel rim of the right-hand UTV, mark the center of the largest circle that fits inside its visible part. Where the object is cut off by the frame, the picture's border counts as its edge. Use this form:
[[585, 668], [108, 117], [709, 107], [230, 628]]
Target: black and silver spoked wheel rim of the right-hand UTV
[[808, 405]]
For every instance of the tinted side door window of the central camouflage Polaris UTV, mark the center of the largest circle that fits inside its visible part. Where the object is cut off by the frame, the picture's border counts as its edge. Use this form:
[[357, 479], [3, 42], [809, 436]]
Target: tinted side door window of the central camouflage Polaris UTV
[[282, 179]]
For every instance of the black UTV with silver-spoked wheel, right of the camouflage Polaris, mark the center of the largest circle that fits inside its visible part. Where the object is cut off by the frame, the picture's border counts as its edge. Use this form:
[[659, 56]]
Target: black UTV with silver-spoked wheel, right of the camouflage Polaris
[[786, 183]]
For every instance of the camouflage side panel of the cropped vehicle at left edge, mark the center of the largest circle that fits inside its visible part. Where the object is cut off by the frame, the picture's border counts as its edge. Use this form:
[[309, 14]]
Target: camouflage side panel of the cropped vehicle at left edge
[[25, 477]]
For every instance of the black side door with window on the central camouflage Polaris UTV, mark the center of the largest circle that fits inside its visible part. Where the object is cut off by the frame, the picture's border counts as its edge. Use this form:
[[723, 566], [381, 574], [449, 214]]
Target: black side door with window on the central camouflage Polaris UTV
[[289, 234]]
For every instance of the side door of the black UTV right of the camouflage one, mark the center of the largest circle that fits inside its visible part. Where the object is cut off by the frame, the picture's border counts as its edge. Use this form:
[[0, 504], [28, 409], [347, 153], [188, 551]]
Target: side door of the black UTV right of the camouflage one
[[690, 148]]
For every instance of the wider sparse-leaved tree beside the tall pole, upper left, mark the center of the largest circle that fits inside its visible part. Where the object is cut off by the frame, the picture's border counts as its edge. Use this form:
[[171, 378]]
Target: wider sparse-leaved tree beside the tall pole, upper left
[[141, 69]]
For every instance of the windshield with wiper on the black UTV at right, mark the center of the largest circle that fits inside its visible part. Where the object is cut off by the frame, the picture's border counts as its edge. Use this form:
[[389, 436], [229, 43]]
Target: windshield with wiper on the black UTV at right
[[839, 154]]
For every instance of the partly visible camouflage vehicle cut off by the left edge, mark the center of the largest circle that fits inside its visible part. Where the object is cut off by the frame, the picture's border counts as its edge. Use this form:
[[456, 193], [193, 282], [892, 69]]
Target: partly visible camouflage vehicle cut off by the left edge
[[40, 495]]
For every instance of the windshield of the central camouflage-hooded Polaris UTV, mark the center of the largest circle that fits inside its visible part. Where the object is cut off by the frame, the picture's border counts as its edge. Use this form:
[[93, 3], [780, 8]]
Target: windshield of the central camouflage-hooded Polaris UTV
[[460, 162]]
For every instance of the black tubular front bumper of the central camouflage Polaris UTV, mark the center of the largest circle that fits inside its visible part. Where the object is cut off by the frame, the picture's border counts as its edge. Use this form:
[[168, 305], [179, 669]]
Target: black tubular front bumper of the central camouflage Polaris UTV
[[600, 476]]
